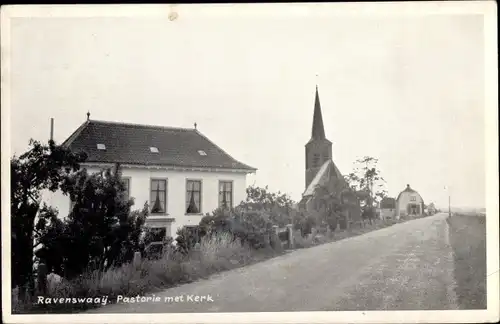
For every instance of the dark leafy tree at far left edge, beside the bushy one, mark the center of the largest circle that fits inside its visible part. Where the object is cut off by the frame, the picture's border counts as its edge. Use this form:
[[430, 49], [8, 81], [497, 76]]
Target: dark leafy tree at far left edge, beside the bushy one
[[42, 167]]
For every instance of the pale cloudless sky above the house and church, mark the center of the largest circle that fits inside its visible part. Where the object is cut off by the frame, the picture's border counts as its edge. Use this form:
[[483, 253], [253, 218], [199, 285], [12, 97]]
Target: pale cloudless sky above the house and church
[[407, 90]]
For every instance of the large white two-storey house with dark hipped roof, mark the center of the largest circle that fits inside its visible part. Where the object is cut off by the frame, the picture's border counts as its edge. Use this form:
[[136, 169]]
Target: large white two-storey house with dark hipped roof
[[178, 171]]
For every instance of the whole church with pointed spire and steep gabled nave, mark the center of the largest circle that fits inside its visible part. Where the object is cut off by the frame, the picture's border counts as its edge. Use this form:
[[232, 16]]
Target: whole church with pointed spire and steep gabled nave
[[321, 173]]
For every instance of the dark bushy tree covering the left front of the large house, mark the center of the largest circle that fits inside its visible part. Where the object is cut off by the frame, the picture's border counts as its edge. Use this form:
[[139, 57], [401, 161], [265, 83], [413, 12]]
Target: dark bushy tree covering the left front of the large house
[[101, 231]]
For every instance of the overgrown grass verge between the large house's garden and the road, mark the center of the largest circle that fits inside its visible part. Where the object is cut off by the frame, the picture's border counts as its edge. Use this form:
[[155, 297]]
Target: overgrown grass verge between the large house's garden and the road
[[216, 254]]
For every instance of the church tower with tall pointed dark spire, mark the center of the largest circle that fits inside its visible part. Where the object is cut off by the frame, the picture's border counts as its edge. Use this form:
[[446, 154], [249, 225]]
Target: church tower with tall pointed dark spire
[[318, 149]]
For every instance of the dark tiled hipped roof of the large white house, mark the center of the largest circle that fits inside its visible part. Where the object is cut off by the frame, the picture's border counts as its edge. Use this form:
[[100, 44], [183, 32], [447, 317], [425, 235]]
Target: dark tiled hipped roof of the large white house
[[131, 144]]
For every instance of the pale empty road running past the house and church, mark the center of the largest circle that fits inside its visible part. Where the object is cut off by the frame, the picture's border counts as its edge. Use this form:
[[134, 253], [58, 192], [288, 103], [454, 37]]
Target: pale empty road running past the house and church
[[408, 266]]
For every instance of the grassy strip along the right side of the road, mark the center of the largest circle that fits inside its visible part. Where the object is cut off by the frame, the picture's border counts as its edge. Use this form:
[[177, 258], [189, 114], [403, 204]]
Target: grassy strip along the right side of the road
[[468, 239]]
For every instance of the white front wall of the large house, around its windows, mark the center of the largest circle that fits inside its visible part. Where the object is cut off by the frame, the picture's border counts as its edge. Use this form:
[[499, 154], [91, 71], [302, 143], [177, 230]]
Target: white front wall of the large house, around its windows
[[176, 194]]
